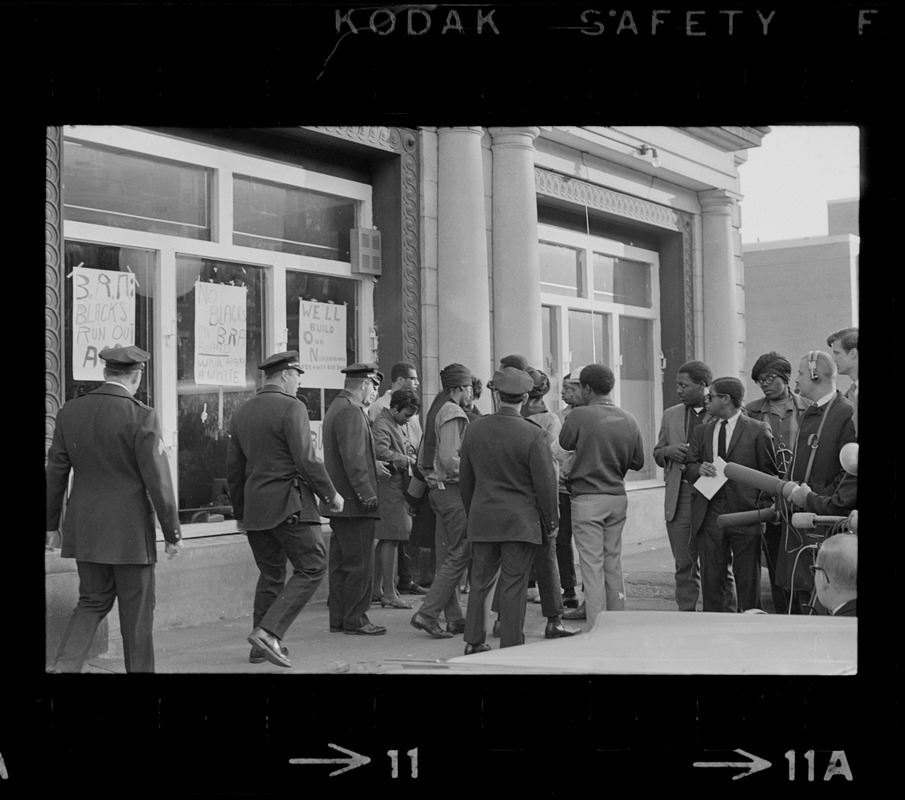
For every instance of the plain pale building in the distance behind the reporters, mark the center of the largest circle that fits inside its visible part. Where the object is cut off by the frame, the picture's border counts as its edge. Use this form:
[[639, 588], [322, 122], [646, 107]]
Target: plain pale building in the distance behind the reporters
[[797, 291]]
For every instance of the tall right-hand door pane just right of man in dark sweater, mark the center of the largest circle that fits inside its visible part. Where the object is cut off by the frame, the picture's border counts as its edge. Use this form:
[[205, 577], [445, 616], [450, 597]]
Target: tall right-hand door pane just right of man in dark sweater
[[637, 383]]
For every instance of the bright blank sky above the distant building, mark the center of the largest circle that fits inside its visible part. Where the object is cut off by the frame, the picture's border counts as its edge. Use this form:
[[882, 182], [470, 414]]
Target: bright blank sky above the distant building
[[788, 180]]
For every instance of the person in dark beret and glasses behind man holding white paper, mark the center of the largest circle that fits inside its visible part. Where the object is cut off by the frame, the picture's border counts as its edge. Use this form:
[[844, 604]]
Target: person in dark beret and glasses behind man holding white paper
[[782, 409]]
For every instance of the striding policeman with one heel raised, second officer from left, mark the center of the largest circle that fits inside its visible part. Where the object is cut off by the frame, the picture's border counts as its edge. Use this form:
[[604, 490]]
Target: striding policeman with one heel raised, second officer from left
[[274, 477]]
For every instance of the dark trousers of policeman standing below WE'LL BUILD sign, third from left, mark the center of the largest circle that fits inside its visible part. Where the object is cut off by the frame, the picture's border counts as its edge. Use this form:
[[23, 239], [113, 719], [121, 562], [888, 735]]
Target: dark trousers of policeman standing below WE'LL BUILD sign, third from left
[[351, 566]]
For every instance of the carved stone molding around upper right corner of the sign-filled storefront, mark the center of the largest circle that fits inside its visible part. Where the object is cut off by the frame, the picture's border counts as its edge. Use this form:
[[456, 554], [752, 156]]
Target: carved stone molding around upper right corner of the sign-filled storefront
[[404, 143]]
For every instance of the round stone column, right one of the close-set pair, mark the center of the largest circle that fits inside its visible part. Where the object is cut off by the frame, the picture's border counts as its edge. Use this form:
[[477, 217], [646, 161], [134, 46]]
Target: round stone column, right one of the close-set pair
[[516, 271]]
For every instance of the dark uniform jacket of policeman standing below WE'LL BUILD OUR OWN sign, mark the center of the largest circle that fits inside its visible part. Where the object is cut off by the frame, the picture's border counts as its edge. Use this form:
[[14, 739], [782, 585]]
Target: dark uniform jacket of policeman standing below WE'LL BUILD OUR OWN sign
[[349, 455]]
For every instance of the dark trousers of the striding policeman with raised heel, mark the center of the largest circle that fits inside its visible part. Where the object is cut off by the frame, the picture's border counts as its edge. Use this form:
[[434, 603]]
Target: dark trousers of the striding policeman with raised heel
[[278, 601]]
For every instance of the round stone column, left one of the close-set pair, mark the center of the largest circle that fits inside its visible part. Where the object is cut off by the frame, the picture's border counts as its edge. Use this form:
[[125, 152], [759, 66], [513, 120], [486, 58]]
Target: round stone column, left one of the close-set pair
[[462, 274]]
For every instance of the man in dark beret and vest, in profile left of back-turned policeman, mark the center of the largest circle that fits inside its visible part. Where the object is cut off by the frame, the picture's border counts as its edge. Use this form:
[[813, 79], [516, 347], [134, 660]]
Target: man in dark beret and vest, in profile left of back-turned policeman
[[438, 460]]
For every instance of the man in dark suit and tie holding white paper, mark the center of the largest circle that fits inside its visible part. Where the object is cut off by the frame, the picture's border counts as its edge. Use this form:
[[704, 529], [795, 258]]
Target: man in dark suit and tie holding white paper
[[735, 438]]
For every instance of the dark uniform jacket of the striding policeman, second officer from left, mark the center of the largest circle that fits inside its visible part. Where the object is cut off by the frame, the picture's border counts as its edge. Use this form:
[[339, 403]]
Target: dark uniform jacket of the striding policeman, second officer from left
[[273, 471]]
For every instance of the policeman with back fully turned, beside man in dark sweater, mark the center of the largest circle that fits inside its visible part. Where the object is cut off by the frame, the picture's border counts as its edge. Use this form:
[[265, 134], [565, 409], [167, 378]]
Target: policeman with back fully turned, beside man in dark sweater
[[508, 485]]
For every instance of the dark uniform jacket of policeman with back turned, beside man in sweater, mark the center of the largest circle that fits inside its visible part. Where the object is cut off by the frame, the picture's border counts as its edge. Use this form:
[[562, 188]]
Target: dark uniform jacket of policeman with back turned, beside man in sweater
[[507, 479]]
